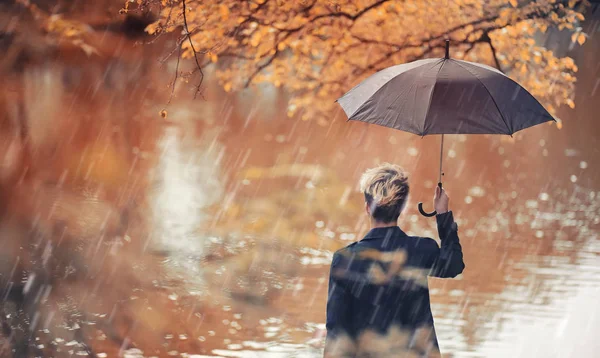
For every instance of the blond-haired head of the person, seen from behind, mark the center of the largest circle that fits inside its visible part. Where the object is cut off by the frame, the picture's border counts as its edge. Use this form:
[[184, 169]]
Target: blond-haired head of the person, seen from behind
[[386, 192]]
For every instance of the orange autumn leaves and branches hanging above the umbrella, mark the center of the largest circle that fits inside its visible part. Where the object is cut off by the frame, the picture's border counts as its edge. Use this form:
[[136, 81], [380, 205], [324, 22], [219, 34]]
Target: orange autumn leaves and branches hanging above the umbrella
[[318, 49]]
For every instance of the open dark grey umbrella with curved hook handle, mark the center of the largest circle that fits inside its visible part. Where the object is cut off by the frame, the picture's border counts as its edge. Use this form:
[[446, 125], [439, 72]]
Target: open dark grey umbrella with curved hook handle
[[443, 96]]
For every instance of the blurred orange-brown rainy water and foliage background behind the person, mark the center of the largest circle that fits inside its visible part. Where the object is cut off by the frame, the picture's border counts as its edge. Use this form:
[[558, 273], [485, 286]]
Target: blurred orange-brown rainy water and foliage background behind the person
[[149, 206]]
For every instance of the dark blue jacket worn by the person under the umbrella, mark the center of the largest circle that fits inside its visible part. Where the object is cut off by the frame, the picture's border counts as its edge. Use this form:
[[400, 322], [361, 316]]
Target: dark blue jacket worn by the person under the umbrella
[[378, 291]]
